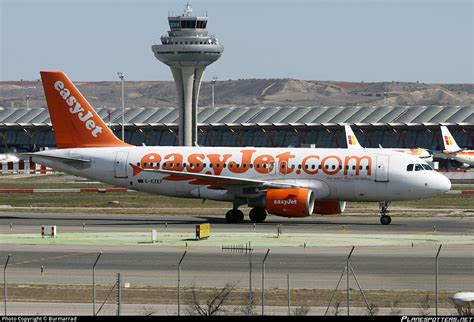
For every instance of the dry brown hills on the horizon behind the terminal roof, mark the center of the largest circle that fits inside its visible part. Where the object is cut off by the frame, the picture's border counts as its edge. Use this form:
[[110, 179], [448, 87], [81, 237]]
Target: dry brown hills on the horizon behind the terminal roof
[[252, 92]]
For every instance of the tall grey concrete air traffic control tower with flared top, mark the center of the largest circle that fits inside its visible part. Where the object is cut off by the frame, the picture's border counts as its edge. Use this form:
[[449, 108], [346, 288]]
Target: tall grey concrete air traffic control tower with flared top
[[187, 50]]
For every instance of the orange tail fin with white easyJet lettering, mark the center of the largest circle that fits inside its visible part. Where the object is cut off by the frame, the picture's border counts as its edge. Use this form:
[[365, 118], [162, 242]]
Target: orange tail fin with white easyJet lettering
[[75, 123]]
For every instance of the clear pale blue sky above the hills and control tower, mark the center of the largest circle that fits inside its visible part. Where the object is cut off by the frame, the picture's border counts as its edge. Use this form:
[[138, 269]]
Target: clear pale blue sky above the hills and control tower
[[370, 40]]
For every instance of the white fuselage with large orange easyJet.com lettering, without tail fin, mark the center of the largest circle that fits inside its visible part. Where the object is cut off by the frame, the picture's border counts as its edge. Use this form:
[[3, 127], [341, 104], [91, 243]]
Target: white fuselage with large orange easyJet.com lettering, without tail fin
[[333, 174]]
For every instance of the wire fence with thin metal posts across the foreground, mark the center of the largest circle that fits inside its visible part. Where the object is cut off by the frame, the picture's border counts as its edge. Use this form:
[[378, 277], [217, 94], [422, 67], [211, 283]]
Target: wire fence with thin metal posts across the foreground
[[241, 280]]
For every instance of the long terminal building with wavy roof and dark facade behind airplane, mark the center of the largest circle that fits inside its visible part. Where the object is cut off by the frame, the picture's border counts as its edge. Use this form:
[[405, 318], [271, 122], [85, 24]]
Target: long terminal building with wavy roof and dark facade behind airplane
[[29, 129]]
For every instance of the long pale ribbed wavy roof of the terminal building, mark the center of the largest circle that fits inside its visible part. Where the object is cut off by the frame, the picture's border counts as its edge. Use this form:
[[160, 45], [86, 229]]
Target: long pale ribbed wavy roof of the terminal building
[[265, 116]]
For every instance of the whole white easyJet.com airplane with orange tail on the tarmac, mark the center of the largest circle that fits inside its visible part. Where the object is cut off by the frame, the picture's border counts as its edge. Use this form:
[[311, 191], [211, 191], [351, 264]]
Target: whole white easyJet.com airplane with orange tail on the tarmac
[[288, 182]]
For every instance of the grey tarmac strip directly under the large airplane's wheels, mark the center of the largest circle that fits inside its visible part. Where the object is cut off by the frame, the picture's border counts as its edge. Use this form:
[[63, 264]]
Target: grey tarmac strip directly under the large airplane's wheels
[[27, 222]]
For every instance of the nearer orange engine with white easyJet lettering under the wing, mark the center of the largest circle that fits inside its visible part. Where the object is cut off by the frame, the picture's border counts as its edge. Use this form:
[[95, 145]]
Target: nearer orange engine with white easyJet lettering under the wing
[[297, 202]]
